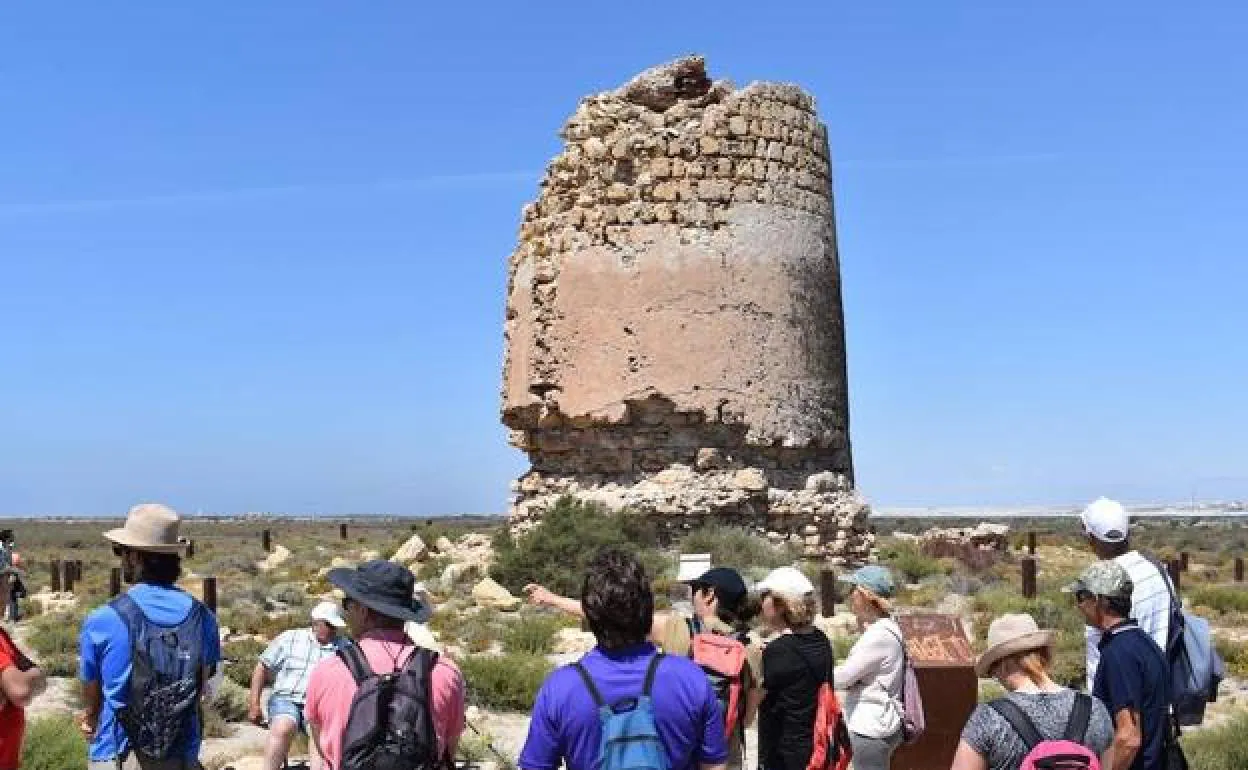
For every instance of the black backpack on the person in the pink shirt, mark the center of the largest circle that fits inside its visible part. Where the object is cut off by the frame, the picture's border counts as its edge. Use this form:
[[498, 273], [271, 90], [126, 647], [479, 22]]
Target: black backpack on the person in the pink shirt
[[390, 726]]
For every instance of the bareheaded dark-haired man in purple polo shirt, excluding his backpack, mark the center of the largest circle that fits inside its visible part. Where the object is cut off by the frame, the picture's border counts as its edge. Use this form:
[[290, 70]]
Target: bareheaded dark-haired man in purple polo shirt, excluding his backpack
[[620, 608]]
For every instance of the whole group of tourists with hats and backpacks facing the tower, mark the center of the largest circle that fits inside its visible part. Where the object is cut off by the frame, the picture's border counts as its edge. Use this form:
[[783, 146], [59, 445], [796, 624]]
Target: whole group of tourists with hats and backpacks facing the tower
[[658, 692]]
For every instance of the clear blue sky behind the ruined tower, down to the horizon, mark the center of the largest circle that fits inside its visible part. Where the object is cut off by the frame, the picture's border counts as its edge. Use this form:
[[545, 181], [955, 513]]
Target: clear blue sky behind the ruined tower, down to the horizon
[[253, 255]]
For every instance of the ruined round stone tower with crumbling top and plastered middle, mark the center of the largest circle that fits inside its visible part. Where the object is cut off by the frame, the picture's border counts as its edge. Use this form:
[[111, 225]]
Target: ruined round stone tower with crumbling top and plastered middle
[[675, 329]]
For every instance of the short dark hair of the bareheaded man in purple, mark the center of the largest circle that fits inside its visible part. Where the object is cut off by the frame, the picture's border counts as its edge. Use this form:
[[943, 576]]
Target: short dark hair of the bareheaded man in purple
[[617, 600]]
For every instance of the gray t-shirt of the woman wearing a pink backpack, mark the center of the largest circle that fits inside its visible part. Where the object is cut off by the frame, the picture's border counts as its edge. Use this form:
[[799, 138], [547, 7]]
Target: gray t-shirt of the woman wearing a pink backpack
[[992, 736]]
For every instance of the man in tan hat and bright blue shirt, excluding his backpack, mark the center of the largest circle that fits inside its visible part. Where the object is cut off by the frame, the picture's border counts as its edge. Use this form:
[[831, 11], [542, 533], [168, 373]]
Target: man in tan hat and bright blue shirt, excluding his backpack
[[150, 553]]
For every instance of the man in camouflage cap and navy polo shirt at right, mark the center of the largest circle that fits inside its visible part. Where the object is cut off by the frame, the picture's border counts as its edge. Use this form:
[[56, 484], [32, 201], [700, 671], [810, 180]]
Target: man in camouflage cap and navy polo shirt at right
[[1134, 678]]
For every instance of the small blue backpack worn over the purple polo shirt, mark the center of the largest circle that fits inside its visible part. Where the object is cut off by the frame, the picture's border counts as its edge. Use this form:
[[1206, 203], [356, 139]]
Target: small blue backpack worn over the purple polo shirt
[[631, 739]]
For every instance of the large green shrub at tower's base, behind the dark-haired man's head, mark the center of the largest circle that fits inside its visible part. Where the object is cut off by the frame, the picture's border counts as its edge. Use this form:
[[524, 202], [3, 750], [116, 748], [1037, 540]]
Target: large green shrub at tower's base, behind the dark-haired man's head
[[557, 551]]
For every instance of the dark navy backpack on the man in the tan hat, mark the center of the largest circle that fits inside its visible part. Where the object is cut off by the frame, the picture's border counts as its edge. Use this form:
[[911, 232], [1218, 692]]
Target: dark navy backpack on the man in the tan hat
[[165, 681]]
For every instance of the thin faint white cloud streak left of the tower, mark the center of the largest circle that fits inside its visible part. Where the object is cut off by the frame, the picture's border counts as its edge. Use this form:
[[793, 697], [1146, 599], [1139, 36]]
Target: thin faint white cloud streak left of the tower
[[244, 194]]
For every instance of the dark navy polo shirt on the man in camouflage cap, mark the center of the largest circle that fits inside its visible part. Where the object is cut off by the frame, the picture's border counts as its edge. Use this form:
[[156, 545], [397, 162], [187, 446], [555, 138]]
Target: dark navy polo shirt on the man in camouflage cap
[[1134, 675]]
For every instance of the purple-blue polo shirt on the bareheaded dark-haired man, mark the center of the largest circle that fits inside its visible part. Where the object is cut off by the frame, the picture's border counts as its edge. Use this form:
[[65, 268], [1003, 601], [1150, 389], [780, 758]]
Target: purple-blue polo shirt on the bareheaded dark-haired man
[[566, 724]]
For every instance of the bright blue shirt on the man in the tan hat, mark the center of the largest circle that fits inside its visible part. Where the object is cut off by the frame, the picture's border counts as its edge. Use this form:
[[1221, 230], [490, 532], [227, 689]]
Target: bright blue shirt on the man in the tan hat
[[104, 657]]
